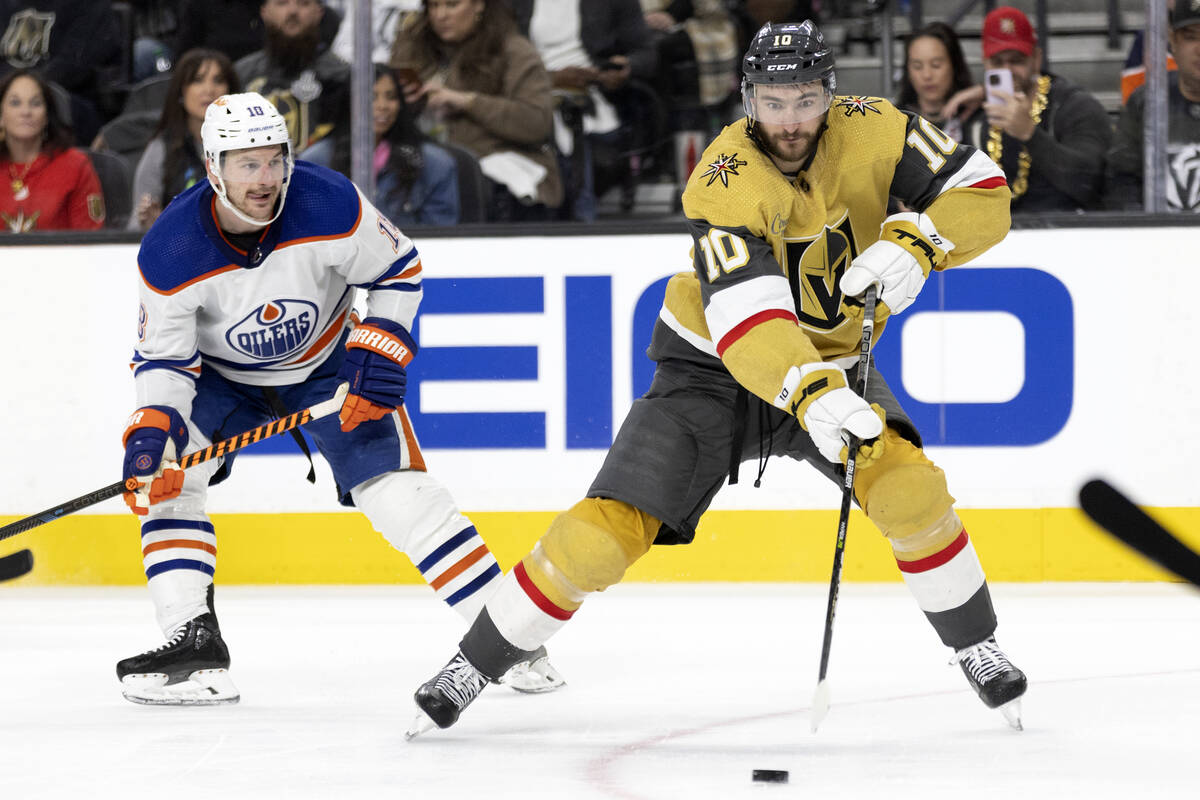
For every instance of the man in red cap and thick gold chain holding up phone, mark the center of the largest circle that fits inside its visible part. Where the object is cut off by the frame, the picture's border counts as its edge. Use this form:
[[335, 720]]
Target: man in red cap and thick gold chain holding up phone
[[1049, 136]]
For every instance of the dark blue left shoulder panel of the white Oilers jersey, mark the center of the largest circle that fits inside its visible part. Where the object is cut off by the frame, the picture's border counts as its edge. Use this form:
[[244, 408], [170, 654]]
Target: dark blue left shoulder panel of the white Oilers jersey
[[177, 250]]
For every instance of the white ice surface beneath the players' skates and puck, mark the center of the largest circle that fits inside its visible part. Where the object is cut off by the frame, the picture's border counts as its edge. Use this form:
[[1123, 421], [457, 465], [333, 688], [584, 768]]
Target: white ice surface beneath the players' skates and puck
[[674, 691]]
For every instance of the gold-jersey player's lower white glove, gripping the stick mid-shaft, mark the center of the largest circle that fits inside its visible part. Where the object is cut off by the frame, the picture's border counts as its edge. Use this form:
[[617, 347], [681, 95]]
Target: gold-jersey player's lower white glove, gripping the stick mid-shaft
[[831, 412]]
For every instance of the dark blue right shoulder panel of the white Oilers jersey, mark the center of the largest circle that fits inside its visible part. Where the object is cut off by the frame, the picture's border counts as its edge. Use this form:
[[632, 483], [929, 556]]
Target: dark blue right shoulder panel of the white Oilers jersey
[[321, 204]]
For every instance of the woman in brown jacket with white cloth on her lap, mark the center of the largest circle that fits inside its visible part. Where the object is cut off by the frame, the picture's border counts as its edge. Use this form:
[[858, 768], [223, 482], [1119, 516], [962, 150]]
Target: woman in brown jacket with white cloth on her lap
[[485, 89]]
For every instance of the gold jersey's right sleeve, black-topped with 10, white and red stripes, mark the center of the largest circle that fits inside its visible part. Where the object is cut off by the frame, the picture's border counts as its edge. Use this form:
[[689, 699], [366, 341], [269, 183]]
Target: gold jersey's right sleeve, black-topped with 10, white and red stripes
[[961, 189]]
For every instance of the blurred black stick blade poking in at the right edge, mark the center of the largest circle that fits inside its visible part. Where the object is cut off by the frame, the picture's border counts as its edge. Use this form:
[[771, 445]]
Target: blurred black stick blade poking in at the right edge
[[1117, 514]]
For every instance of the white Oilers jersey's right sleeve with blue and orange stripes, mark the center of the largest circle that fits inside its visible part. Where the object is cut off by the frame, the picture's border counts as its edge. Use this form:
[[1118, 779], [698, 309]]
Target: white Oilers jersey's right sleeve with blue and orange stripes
[[387, 266]]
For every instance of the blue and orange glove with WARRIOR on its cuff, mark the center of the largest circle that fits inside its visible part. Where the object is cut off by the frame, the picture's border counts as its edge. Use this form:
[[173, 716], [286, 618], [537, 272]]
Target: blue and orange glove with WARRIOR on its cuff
[[376, 356]]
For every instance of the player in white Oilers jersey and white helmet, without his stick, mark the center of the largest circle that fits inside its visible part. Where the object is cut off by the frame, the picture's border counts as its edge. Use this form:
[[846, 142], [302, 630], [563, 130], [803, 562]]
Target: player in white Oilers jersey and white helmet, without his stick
[[247, 288]]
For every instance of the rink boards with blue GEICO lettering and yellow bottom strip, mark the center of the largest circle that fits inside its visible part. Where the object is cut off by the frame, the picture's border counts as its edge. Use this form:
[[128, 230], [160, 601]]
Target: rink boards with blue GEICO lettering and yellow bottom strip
[[1059, 357]]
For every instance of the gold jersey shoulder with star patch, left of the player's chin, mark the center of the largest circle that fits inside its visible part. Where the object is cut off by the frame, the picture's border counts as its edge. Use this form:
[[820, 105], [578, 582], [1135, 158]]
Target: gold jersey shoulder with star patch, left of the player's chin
[[735, 183]]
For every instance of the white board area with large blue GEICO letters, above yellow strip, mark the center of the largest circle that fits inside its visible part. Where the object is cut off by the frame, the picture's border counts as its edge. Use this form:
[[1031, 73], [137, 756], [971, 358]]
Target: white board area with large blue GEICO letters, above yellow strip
[[1058, 357]]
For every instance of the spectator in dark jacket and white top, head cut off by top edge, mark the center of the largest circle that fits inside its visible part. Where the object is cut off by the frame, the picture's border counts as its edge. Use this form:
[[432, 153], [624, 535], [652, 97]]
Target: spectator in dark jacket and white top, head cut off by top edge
[[593, 49]]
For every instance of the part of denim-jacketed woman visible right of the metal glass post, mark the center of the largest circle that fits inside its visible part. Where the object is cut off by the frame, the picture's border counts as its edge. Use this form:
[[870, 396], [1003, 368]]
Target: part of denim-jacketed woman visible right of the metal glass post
[[417, 182]]
